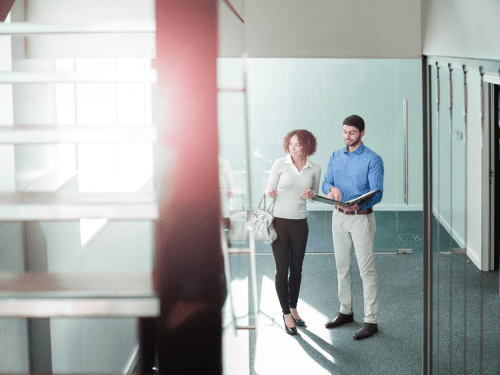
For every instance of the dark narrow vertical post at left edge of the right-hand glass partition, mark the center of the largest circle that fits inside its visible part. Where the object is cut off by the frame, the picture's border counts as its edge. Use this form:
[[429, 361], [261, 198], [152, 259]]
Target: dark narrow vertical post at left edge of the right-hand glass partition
[[427, 220]]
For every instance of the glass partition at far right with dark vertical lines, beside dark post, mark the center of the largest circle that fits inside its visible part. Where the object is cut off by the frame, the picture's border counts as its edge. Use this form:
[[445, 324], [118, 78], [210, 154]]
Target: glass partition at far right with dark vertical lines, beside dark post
[[462, 105]]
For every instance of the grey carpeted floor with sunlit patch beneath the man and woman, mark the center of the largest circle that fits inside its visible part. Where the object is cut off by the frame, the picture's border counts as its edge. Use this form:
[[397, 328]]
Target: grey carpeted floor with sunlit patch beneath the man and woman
[[466, 311]]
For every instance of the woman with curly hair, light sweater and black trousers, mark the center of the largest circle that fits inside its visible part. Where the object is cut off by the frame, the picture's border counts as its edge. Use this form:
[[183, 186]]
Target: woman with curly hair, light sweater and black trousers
[[293, 179]]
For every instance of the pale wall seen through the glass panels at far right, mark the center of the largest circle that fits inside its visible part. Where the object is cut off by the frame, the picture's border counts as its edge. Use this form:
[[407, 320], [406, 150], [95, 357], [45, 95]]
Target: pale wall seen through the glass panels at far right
[[452, 187]]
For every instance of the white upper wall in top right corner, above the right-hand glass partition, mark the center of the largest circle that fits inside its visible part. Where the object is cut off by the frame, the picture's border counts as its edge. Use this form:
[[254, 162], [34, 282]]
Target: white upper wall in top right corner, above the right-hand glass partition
[[461, 28]]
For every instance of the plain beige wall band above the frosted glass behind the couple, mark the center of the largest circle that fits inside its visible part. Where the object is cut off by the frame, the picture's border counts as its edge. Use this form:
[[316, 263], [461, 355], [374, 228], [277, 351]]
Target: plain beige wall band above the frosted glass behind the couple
[[338, 28]]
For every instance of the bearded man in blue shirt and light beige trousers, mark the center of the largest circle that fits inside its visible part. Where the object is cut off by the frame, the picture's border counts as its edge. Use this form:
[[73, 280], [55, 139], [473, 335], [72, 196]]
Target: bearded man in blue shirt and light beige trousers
[[353, 171]]
